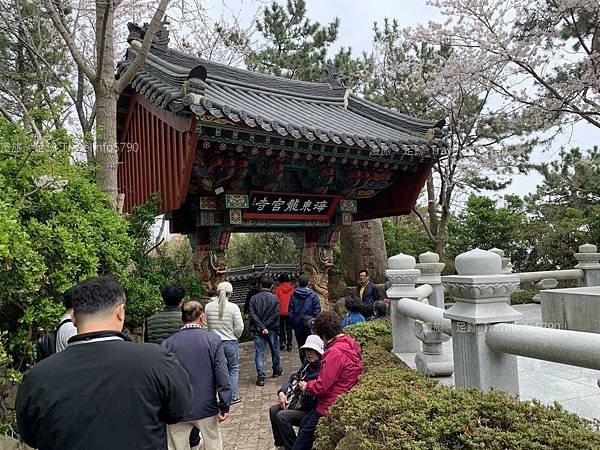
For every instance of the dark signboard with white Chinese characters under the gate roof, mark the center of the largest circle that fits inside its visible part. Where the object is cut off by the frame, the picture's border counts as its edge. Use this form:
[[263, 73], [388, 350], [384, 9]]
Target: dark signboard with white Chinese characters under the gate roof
[[269, 205]]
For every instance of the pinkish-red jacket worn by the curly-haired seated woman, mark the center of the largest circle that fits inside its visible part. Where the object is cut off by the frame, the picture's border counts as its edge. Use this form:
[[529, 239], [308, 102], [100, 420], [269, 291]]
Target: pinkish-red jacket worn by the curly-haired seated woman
[[340, 368]]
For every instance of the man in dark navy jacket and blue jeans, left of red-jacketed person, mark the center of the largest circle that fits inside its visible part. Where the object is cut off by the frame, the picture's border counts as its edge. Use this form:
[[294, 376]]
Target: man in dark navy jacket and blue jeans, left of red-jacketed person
[[264, 324]]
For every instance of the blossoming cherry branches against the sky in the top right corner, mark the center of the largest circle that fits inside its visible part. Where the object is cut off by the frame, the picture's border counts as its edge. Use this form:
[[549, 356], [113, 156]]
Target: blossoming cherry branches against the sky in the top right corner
[[548, 52]]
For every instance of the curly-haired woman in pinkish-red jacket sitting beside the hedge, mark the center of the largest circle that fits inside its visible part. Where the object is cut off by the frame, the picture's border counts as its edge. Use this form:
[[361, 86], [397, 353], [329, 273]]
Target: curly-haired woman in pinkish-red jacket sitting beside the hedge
[[341, 366]]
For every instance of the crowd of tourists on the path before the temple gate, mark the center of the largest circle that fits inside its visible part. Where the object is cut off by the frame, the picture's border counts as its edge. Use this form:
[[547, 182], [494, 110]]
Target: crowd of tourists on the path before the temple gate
[[99, 390]]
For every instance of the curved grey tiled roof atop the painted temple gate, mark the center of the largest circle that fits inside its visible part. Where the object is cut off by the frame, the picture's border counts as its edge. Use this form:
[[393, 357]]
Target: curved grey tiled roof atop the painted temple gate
[[309, 111]]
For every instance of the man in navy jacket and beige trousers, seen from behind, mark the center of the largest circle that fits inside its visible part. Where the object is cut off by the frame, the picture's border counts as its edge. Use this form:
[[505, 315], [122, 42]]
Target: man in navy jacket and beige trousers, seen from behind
[[200, 352]]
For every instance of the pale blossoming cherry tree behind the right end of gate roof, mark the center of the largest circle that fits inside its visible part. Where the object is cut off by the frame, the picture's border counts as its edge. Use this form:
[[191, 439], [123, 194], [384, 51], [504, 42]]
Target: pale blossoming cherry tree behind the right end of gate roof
[[487, 138]]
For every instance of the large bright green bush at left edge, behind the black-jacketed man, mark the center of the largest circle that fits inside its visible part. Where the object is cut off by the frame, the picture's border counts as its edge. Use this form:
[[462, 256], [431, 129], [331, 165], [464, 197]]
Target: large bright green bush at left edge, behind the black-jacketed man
[[56, 229]]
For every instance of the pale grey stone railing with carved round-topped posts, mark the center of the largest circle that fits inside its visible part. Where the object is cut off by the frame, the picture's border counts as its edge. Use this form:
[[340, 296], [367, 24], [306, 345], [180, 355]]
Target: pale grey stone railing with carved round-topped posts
[[485, 339]]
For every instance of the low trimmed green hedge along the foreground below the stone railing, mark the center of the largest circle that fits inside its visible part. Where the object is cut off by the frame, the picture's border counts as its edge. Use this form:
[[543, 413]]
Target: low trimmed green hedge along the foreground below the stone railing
[[396, 408]]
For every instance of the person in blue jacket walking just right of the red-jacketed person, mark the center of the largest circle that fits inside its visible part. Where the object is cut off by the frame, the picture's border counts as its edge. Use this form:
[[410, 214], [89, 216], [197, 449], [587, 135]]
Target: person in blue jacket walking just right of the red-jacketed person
[[304, 306]]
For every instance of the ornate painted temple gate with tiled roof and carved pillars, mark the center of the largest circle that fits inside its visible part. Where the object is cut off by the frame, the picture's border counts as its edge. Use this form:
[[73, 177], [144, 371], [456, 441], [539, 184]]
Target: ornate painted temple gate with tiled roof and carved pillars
[[230, 150]]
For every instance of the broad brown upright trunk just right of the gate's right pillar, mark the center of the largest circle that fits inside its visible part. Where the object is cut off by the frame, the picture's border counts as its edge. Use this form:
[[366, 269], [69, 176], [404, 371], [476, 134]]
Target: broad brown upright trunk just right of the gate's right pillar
[[363, 247]]
